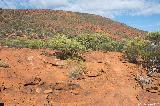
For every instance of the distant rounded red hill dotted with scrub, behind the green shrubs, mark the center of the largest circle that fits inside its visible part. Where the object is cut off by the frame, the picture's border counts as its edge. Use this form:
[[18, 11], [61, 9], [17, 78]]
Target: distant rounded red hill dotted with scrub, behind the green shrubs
[[46, 23]]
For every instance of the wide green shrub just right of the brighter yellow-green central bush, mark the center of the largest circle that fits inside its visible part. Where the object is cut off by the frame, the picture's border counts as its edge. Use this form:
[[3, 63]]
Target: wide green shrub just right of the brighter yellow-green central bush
[[99, 42]]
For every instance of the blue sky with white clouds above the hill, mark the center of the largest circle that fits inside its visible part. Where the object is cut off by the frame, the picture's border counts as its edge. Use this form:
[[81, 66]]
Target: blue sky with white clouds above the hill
[[141, 14]]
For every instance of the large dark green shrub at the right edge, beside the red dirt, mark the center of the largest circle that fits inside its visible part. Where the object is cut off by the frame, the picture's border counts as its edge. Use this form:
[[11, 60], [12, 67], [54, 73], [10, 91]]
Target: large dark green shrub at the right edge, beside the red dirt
[[148, 50]]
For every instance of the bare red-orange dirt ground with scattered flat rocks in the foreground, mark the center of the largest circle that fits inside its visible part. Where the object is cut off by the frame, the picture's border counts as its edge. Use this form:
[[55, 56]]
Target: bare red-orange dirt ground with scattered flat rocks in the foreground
[[37, 79]]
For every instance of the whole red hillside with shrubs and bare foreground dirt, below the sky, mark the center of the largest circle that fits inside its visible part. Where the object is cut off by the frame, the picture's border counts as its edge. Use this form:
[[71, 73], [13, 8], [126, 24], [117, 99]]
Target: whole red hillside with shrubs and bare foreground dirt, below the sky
[[58, 58]]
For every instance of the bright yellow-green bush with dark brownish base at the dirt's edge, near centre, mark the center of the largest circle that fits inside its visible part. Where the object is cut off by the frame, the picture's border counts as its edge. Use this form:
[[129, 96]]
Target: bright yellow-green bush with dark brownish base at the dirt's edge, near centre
[[68, 47]]
